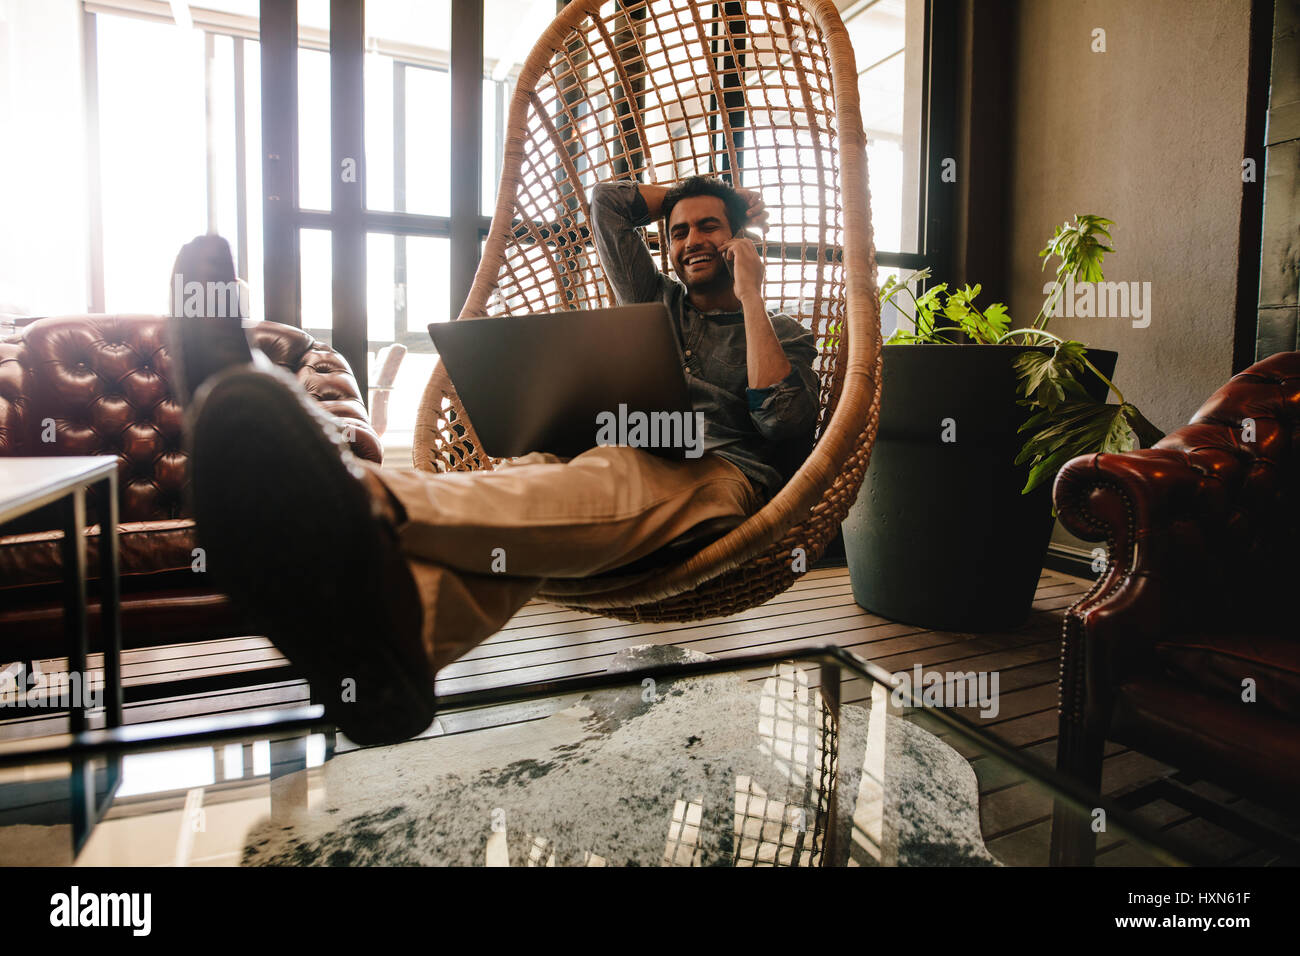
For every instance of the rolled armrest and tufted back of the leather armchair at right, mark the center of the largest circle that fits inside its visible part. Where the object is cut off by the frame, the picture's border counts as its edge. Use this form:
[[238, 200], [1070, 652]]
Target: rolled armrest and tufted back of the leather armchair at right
[[1198, 527]]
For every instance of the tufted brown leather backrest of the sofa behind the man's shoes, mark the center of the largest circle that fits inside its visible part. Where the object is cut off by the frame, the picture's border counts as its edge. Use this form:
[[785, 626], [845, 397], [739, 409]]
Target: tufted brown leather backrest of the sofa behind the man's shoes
[[102, 384]]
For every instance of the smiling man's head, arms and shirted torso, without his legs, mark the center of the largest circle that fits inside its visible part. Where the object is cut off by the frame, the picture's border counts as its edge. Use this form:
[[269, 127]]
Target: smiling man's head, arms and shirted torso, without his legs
[[749, 371]]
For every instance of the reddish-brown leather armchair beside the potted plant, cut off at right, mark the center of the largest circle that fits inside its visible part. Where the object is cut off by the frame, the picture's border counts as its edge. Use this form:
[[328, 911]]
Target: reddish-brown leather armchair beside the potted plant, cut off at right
[[1188, 648]]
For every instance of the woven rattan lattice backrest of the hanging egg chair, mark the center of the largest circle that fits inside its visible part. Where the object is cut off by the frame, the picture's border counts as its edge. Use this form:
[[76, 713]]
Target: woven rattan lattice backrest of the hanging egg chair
[[660, 90]]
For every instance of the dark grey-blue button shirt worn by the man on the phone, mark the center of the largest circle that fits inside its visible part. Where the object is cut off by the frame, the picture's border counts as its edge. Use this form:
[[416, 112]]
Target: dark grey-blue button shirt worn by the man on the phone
[[765, 432]]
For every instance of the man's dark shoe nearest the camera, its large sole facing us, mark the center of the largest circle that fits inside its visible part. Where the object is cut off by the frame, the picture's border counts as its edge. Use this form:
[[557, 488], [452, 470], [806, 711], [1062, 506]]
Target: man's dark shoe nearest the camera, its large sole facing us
[[306, 548]]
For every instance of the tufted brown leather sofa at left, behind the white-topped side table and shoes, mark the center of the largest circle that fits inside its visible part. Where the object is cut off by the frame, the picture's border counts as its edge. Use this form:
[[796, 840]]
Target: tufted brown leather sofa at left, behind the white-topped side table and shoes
[[102, 384]]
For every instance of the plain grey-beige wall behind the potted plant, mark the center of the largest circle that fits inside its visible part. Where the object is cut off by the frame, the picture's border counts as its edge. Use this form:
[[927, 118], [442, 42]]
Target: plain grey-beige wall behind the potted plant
[[1149, 133]]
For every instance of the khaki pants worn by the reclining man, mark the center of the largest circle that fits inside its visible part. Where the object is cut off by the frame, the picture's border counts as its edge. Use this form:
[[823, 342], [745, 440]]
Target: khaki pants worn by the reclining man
[[482, 544]]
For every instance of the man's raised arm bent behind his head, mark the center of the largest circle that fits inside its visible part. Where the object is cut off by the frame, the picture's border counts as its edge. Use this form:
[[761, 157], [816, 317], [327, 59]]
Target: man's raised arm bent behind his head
[[618, 210]]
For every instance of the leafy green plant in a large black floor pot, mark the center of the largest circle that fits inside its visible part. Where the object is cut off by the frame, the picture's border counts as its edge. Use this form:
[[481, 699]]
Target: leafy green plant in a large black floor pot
[[955, 516]]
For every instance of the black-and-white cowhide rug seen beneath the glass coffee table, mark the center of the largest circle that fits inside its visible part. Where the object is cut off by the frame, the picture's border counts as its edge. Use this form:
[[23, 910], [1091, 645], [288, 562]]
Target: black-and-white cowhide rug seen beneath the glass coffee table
[[695, 772]]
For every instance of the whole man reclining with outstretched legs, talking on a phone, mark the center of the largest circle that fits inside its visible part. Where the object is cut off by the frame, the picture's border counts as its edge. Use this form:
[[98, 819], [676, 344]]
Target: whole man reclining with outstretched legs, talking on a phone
[[372, 581]]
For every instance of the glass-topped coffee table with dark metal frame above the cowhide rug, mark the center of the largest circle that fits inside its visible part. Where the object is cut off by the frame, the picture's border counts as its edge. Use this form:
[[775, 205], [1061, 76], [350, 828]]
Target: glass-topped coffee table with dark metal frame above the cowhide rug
[[669, 759]]
